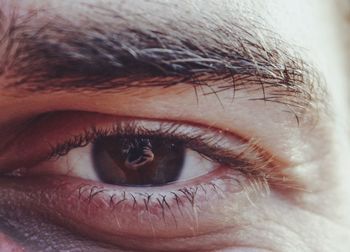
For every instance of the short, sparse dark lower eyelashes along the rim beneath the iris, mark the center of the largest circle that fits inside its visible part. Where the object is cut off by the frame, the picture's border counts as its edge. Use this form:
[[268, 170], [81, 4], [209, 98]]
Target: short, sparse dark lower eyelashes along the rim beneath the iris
[[167, 207]]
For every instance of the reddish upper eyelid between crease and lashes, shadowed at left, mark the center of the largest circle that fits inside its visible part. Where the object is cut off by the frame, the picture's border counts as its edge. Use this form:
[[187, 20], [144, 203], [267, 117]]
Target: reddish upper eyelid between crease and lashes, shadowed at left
[[90, 125]]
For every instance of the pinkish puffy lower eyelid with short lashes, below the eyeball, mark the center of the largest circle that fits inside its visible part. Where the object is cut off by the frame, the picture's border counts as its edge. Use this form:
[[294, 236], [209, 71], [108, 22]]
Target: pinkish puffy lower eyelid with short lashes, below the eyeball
[[117, 210]]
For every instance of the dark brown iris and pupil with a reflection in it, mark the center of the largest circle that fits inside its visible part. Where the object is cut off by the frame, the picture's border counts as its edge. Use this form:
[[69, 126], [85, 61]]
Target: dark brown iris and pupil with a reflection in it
[[138, 161]]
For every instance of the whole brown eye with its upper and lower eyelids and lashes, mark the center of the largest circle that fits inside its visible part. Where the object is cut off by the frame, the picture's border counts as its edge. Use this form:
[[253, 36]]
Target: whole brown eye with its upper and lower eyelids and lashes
[[136, 181]]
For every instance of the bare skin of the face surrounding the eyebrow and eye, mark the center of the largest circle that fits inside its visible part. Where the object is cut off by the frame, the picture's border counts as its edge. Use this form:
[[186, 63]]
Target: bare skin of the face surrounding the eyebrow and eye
[[315, 153]]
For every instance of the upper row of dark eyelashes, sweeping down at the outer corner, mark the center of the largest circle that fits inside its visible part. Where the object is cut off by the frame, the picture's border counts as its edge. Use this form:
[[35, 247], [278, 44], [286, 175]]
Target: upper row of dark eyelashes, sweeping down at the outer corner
[[207, 142]]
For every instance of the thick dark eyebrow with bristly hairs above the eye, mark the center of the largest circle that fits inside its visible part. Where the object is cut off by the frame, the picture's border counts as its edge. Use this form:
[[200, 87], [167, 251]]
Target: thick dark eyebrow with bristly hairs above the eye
[[43, 51]]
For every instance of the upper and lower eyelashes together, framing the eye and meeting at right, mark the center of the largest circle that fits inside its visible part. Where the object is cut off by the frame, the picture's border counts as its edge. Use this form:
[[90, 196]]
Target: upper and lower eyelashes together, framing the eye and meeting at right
[[247, 166]]
